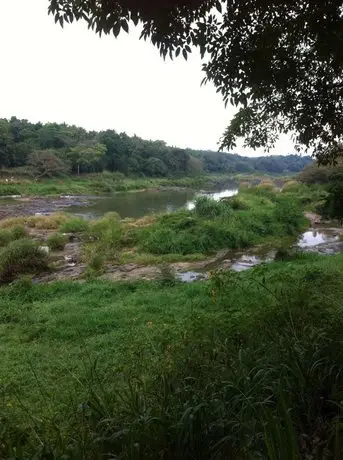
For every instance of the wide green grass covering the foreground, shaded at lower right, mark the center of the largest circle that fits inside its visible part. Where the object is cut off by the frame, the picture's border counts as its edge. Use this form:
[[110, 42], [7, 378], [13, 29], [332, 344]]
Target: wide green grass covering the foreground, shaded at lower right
[[246, 365]]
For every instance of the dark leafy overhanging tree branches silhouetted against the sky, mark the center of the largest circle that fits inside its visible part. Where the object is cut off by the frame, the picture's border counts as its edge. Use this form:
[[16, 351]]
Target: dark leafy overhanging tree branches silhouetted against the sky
[[279, 61]]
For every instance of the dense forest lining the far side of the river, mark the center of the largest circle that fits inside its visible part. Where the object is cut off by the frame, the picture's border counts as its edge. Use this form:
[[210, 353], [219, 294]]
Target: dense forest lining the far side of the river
[[53, 149]]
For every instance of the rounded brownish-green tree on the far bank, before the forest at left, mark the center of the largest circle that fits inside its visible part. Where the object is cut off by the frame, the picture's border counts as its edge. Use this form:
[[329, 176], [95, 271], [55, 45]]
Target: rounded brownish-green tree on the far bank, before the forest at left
[[45, 163]]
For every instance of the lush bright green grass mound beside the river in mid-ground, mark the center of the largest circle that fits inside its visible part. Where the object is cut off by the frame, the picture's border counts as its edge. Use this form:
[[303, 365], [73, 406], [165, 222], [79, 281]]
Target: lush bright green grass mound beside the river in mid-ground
[[249, 219]]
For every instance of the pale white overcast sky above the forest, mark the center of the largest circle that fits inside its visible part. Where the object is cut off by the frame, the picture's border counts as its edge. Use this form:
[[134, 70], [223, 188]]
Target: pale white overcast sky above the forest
[[71, 75]]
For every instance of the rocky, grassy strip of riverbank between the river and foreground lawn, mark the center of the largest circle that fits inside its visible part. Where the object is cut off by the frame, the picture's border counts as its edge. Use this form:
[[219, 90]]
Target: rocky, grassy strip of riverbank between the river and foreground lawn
[[185, 240]]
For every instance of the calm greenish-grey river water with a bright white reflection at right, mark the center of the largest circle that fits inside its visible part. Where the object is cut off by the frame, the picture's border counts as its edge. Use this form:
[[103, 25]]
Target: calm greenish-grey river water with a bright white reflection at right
[[139, 204]]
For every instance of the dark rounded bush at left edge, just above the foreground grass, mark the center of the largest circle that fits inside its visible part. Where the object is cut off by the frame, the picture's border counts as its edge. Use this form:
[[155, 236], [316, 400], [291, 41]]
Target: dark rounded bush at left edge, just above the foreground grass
[[21, 257]]
